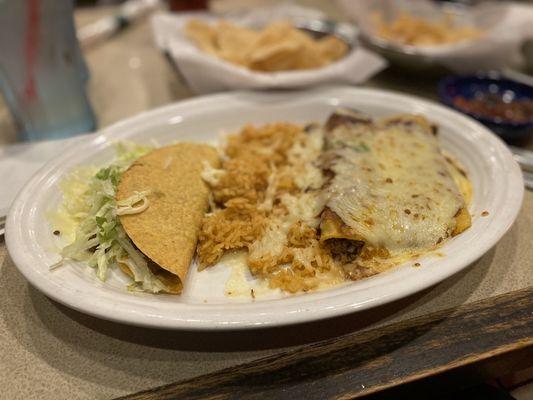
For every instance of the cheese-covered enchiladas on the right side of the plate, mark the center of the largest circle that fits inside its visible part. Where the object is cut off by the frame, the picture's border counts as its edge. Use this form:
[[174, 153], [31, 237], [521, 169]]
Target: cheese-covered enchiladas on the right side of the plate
[[391, 191]]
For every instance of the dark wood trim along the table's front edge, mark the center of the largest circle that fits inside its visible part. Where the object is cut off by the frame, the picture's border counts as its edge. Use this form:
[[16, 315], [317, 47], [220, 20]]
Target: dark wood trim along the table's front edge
[[362, 363]]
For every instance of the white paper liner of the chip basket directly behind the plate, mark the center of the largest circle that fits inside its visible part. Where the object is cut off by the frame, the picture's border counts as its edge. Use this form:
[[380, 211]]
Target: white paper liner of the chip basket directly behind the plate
[[206, 73]]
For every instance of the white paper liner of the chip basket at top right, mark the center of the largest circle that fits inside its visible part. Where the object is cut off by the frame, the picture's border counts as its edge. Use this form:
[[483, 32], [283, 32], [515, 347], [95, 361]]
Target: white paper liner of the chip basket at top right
[[506, 25]]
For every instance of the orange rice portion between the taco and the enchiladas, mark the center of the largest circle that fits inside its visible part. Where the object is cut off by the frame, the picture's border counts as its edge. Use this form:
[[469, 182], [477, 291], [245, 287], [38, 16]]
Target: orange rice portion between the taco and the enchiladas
[[266, 199]]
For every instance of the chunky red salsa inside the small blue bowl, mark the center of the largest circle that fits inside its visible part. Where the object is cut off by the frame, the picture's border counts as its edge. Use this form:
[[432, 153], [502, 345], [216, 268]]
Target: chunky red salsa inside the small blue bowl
[[493, 106]]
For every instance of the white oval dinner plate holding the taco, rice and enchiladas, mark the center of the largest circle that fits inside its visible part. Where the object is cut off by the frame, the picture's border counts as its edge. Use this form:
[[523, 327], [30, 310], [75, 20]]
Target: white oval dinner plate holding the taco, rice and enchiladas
[[496, 179]]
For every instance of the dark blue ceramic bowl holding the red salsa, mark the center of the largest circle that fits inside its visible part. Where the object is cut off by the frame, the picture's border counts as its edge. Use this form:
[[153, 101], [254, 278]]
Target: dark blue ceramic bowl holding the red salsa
[[473, 86]]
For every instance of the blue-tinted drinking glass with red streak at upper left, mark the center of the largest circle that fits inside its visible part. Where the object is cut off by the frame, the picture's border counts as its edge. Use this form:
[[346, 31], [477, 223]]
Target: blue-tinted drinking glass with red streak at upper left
[[42, 70]]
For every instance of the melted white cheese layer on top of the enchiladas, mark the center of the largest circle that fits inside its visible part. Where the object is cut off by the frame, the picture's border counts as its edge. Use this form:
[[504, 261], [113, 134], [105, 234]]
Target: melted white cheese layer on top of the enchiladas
[[392, 186]]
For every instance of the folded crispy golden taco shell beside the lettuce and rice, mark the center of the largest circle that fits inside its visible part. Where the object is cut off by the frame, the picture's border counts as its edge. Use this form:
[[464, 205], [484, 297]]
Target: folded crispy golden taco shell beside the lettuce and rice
[[167, 231]]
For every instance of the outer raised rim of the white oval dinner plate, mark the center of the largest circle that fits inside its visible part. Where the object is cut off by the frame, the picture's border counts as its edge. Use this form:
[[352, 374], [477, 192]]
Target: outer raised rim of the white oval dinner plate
[[13, 234]]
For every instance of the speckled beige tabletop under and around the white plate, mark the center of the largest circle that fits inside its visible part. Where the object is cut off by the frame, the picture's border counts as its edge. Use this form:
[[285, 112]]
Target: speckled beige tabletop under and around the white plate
[[51, 352]]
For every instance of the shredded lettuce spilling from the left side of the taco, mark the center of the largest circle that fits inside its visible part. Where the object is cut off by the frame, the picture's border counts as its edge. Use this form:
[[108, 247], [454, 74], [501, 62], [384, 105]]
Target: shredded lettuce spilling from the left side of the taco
[[100, 239]]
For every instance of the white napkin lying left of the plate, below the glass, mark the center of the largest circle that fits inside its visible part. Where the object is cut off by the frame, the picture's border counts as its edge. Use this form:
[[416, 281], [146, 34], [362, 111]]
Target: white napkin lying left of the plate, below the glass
[[18, 162]]
